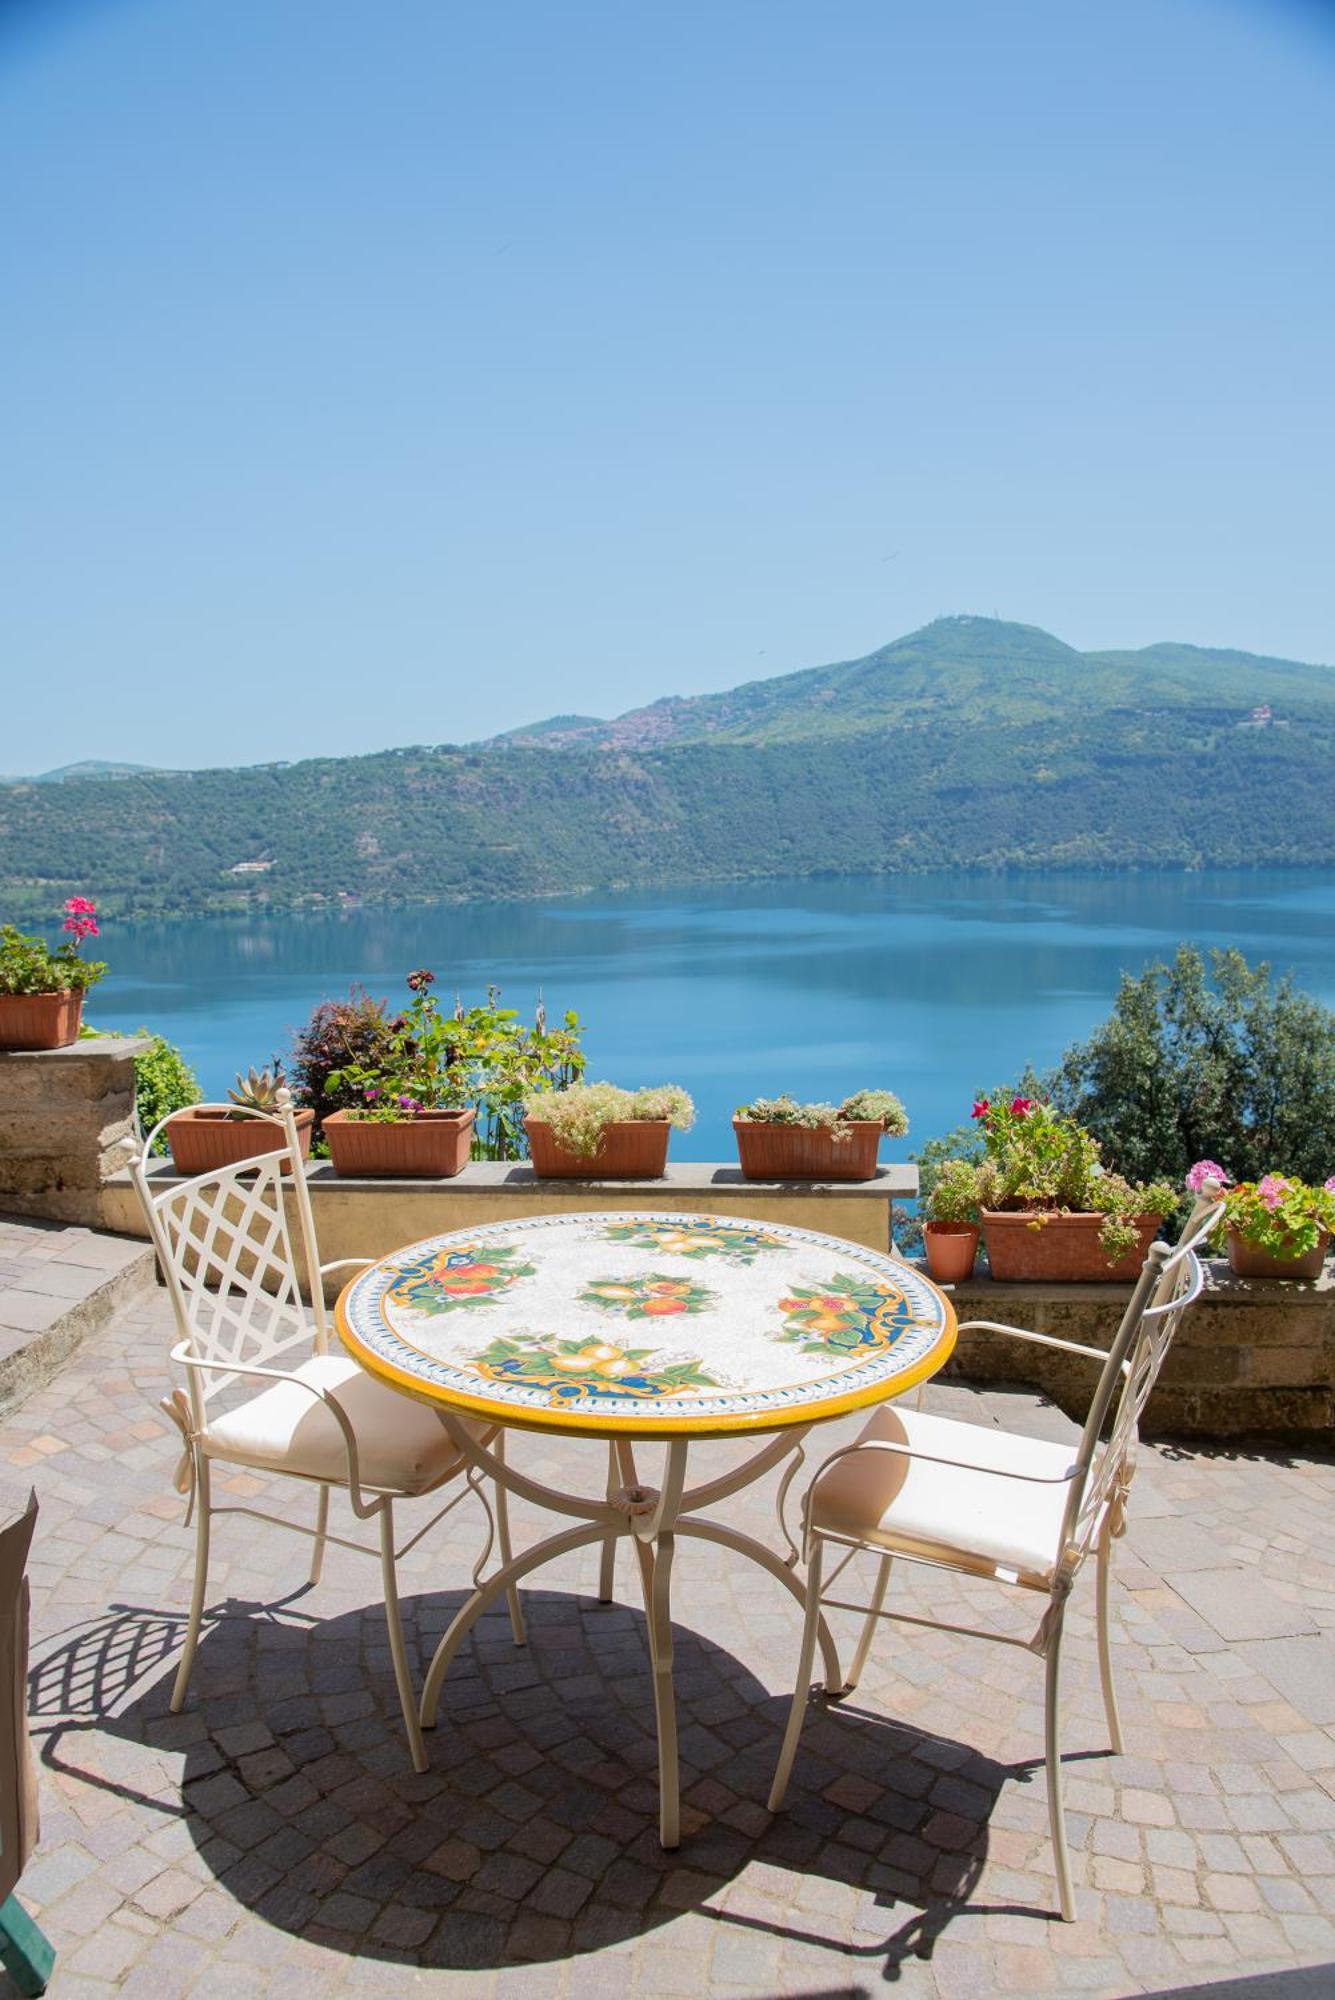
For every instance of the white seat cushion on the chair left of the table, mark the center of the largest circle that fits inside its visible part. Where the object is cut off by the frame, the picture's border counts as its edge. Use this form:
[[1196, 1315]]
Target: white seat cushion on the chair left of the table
[[403, 1447]]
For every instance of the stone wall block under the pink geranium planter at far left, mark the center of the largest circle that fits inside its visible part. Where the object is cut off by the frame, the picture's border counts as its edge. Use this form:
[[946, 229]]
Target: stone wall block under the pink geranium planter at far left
[[67, 1125]]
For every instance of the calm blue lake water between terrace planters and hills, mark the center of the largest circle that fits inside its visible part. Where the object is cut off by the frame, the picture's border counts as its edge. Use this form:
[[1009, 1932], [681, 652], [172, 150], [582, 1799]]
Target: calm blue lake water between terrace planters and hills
[[928, 985]]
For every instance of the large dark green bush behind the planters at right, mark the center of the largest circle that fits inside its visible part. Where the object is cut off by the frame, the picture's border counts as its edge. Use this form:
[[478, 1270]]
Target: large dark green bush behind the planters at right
[[1216, 1065]]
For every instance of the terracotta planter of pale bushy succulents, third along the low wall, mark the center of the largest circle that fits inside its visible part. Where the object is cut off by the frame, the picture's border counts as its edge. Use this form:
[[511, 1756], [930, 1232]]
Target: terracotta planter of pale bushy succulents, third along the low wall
[[599, 1131]]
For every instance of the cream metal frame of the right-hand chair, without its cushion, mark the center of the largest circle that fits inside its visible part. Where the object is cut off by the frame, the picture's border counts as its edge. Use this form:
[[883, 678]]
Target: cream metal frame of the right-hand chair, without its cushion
[[1094, 1517]]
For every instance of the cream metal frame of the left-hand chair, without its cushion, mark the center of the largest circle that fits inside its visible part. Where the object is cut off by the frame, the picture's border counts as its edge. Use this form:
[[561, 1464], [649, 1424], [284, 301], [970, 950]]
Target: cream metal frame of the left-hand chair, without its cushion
[[233, 1227]]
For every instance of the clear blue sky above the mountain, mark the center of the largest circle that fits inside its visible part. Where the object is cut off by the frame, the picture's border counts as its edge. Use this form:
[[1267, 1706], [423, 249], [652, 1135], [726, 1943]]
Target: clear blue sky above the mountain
[[403, 373]]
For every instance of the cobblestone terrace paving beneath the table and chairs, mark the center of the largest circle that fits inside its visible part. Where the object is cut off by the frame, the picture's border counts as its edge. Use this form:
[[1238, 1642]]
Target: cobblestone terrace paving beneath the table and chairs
[[275, 1839]]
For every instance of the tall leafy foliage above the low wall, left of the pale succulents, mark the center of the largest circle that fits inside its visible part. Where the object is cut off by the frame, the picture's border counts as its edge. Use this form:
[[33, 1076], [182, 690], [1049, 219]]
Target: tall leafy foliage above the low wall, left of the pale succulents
[[483, 1057]]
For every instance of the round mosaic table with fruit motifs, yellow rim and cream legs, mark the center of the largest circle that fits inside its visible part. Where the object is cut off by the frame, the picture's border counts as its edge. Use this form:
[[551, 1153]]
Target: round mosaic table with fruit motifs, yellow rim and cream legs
[[643, 1327]]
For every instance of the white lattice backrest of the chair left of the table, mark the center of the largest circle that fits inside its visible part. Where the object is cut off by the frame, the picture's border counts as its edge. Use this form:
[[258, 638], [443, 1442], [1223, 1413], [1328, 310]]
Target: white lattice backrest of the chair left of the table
[[231, 1261]]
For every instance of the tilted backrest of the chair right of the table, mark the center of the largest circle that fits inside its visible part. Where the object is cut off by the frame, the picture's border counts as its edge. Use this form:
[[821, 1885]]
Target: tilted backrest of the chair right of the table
[[1170, 1281]]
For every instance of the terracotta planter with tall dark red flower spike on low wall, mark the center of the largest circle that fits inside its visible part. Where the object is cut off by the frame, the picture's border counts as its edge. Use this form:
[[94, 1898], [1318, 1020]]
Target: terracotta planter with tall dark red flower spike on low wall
[[403, 1123]]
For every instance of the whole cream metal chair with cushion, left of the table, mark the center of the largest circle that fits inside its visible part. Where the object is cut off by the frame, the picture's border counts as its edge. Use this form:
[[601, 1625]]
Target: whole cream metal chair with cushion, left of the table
[[233, 1273]]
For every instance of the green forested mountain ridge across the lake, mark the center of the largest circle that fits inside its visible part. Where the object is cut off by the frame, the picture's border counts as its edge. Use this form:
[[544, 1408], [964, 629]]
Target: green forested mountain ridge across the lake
[[968, 745]]
